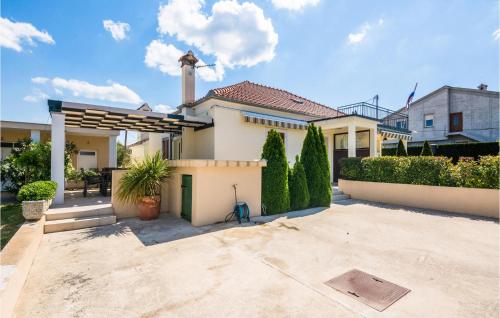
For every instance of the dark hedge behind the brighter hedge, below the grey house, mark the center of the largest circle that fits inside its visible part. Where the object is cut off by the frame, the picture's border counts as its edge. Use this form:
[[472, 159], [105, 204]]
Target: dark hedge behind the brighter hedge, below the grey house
[[453, 151]]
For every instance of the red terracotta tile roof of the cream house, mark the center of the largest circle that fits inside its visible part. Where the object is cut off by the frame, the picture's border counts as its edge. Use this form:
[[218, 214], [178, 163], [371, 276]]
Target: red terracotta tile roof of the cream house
[[272, 98]]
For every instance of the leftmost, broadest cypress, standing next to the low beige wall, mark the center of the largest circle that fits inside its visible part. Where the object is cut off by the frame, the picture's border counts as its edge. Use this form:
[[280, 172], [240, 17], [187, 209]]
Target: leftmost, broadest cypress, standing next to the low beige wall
[[275, 193]]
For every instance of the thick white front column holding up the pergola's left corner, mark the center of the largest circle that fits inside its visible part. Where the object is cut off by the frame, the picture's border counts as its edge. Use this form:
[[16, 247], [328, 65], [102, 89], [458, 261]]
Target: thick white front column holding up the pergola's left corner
[[57, 155]]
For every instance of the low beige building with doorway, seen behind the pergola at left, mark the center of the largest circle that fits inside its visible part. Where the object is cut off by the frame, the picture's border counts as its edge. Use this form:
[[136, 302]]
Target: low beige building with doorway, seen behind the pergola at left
[[96, 148]]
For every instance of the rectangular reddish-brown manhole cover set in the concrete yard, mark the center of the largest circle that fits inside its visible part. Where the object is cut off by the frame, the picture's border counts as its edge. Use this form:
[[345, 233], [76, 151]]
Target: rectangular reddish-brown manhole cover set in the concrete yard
[[368, 289]]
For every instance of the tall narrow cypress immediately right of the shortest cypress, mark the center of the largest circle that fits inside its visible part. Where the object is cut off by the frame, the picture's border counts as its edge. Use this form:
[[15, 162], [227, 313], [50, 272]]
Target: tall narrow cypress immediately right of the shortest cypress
[[309, 159]]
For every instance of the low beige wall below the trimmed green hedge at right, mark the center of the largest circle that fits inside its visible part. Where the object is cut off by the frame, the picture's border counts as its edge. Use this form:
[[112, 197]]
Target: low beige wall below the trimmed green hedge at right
[[479, 202]]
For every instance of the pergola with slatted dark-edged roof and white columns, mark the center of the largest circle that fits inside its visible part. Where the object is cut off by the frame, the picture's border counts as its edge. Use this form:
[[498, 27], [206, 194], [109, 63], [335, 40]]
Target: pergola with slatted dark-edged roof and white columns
[[96, 117]]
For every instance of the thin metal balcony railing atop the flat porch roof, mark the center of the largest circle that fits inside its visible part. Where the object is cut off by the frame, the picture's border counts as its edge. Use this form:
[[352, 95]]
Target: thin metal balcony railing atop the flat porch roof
[[387, 117]]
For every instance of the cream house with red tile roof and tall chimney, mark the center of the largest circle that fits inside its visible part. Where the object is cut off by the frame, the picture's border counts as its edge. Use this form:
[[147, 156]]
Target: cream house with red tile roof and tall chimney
[[240, 116]]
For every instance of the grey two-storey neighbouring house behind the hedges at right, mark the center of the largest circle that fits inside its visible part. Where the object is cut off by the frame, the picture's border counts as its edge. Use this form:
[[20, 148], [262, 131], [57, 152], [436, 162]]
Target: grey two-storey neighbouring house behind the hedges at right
[[455, 115]]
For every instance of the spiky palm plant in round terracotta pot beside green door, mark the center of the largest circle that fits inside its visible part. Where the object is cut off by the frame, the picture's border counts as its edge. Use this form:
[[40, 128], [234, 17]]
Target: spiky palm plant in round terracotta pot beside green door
[[141, 185]]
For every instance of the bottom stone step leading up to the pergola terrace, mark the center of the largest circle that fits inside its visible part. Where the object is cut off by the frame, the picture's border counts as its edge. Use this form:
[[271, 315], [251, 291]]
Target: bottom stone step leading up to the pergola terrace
[[78, 223]]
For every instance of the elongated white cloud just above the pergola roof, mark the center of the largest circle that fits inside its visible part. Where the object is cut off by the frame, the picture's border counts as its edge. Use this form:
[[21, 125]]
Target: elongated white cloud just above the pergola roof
[[113, 92]]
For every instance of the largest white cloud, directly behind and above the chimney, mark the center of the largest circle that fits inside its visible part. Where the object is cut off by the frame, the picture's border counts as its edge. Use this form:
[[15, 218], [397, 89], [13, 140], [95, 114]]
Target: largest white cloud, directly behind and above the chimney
[[236, 34]]
